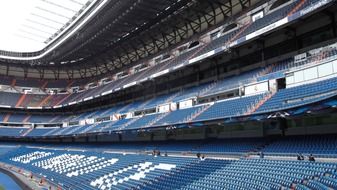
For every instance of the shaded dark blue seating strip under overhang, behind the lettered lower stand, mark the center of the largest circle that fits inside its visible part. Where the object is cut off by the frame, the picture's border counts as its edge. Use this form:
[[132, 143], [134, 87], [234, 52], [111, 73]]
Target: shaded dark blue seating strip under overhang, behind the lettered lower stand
[[321, 146]]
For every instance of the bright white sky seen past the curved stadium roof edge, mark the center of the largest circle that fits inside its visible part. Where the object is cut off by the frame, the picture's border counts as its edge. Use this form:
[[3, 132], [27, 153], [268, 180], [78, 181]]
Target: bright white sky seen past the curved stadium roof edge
[[27, 24]]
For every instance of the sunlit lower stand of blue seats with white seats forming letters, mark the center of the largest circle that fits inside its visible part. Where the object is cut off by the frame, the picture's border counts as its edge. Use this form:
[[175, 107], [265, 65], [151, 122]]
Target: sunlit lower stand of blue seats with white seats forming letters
[[95, 169]]
